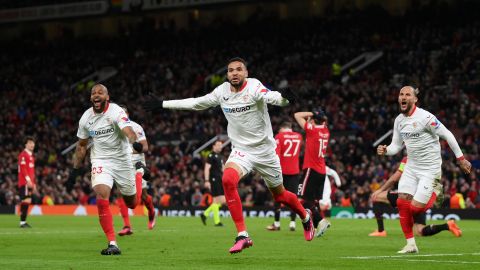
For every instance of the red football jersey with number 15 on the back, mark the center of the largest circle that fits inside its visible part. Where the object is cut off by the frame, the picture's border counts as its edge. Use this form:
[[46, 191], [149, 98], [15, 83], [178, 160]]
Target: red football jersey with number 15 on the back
[[316, 143]]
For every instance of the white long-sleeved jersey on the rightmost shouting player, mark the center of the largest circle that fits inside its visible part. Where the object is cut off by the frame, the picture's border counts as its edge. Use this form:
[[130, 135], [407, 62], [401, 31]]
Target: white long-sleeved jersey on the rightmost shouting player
[[420, 133]]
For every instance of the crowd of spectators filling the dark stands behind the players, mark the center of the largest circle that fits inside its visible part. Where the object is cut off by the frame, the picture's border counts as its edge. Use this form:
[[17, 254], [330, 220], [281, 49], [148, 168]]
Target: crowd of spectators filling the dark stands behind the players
[[440, 56]]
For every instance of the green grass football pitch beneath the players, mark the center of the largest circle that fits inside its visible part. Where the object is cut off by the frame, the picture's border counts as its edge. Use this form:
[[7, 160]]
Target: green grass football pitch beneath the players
[[61, 242]]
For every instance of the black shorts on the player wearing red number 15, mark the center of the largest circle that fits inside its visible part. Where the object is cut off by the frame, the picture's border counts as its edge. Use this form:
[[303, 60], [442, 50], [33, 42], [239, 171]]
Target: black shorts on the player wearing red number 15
[[311, 187]]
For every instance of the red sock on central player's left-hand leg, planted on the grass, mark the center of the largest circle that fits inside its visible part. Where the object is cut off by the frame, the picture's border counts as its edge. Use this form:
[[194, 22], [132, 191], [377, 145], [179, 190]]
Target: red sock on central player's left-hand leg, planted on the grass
[[230, 181]]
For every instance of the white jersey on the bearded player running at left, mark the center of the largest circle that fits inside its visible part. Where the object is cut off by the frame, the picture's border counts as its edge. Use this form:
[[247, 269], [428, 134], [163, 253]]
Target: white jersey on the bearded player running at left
[[105, 129]]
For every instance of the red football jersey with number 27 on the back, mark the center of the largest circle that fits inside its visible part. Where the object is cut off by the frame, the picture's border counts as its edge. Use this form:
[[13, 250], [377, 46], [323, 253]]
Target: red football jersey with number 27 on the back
[[288, 150]]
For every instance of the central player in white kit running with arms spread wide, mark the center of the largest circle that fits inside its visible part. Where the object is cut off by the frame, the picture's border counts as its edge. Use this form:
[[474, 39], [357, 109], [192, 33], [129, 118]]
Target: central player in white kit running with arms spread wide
[[244, 103]]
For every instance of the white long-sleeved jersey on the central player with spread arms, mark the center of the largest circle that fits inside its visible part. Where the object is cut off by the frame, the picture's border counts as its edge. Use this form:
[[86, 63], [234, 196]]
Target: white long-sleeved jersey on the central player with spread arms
[[246, 111]]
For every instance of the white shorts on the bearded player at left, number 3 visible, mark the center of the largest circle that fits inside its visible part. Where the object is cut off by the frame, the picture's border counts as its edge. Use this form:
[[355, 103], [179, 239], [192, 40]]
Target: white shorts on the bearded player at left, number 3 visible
[[107, 172]]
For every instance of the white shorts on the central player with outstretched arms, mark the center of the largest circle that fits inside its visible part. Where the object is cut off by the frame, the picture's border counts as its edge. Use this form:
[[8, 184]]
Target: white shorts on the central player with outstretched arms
[[267, 165]]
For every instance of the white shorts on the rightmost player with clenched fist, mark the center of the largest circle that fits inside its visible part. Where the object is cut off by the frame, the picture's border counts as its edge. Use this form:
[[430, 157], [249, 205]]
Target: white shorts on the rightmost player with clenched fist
[[419, 183]]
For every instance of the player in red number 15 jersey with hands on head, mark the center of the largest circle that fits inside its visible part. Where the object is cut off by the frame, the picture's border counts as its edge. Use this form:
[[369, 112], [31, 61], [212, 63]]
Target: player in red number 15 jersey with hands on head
[[316, 142]]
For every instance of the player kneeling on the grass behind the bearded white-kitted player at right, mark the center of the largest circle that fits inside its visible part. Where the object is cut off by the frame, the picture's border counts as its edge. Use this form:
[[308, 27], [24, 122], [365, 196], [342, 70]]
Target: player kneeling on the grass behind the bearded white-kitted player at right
[[386, 197]]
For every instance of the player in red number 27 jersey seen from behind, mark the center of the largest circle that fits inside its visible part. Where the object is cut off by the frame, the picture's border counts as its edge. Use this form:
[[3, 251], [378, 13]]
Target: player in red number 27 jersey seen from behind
[[288, 150]]
